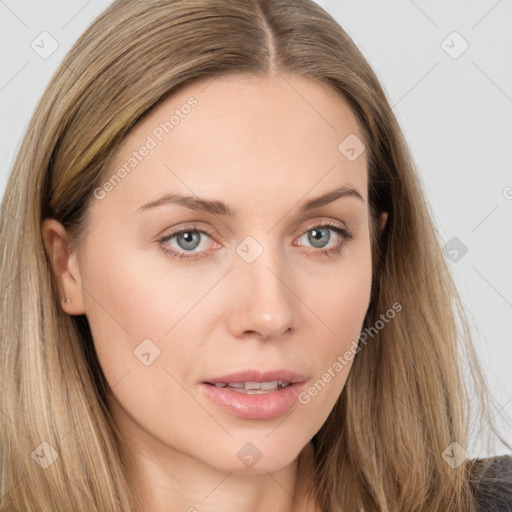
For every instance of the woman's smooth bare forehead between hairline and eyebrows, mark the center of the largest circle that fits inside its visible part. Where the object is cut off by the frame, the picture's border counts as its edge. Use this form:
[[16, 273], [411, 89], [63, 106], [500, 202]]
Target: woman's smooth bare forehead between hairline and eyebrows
[[242, 135]]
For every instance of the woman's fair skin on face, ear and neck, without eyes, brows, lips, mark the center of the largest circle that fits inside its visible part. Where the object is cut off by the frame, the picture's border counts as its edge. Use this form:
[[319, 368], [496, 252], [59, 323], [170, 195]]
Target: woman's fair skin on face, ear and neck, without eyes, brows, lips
[[263, 146]]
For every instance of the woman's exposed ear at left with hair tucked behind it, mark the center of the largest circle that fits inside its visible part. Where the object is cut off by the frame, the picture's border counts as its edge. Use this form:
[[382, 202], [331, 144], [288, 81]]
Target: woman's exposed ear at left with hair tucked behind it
[[64, 261]]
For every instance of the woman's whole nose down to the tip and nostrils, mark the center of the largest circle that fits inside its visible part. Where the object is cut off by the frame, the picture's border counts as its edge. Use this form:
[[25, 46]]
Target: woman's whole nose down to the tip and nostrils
[[262, 299]]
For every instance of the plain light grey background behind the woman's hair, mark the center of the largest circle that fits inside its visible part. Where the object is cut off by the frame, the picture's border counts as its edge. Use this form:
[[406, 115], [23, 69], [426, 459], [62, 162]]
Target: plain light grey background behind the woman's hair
[[455, 111]]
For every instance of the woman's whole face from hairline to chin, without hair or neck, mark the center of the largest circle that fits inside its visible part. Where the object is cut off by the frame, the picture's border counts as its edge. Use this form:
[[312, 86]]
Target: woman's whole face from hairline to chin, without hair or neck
[[274, 293]]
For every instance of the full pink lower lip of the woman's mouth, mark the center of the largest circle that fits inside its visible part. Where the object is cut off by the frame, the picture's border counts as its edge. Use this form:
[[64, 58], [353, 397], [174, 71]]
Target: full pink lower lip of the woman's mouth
[[254, 407]]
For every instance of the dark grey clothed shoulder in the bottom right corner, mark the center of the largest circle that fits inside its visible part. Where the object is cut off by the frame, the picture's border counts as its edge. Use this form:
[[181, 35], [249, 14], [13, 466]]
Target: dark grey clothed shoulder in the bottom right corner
[[491, 483]]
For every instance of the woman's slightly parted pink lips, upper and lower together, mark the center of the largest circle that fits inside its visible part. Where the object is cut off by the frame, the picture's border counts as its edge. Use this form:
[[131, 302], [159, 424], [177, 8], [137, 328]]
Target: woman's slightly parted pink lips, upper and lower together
[[255, 407]]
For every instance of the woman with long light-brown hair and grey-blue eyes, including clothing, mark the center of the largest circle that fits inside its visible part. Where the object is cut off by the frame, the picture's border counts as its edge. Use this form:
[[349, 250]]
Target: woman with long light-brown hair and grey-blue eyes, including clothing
[[224, 290]]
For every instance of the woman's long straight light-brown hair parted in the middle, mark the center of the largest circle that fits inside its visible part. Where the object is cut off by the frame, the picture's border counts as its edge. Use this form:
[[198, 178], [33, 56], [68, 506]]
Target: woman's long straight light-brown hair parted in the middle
[[405, 400]]
